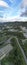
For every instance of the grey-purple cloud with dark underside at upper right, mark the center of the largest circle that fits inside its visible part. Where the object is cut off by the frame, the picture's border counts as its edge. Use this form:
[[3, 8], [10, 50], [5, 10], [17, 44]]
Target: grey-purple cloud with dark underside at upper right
[[23, 8]]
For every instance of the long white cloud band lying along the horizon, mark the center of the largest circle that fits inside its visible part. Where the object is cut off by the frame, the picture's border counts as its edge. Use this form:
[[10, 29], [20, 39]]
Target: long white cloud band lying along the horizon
[[12, 19]]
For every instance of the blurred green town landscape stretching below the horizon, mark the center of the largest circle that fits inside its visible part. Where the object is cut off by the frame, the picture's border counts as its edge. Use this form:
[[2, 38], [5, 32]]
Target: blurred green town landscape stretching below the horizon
[[13, 43]]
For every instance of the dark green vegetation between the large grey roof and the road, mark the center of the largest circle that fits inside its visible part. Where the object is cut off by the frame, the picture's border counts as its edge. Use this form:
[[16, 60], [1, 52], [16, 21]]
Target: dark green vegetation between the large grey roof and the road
[[15, 56]]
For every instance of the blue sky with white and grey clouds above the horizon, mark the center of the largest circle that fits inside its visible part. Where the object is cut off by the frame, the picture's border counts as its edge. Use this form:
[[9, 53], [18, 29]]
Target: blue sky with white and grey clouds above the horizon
[[13, 10]]
